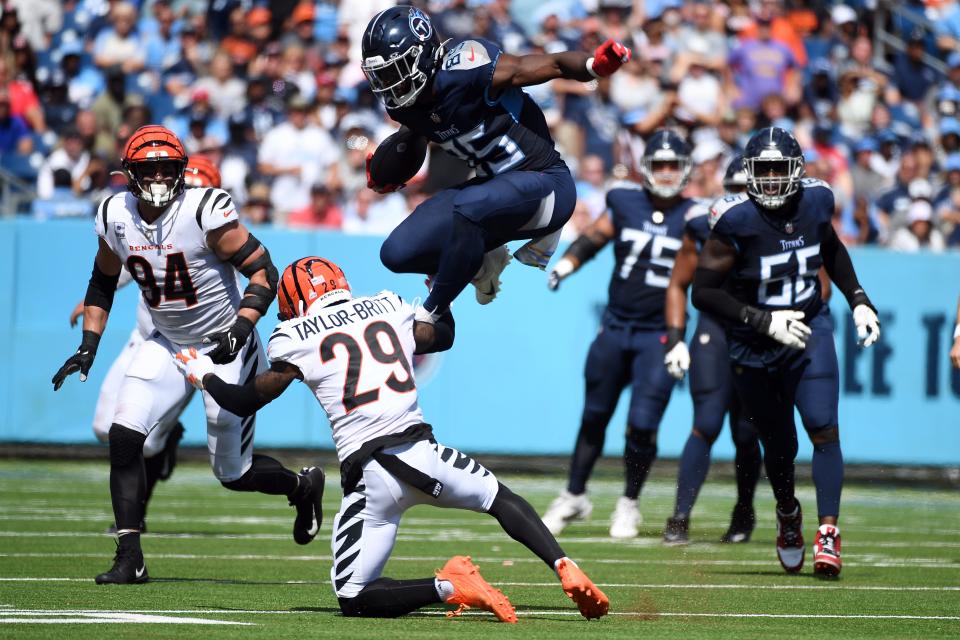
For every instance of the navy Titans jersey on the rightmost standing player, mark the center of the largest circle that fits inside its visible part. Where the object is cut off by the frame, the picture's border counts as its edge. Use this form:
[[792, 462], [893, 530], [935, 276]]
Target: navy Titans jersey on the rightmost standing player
[[777, 257]]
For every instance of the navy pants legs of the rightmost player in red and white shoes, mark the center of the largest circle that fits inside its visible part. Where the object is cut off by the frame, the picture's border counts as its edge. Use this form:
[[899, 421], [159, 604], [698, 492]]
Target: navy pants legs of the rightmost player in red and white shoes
[[810, 381]]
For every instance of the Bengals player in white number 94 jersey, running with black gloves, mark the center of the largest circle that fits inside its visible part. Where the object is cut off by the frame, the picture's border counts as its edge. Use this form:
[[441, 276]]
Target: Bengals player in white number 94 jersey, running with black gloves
[[183, 248]]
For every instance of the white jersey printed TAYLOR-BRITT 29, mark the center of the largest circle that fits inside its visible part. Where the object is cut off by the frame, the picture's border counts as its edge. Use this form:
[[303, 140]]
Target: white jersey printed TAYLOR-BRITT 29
[[357, 359]]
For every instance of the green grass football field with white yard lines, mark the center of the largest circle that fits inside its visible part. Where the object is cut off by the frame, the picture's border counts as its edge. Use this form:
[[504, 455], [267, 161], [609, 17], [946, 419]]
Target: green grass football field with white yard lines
[[226, 561]]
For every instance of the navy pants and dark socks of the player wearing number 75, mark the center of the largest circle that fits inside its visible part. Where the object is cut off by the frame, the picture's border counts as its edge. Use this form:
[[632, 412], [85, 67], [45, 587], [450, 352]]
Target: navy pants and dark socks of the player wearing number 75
[[622, 355]]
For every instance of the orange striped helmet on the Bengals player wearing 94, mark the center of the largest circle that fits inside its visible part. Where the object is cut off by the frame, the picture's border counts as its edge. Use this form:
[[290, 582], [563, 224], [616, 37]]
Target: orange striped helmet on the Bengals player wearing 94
[[154, 159]]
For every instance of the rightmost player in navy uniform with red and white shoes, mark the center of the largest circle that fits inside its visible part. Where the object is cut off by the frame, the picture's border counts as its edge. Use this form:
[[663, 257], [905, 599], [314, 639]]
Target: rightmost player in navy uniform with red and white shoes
[[758, 272]]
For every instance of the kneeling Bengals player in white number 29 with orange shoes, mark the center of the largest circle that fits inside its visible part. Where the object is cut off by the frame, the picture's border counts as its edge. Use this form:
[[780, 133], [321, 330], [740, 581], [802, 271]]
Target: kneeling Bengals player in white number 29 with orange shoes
[[355, 355]]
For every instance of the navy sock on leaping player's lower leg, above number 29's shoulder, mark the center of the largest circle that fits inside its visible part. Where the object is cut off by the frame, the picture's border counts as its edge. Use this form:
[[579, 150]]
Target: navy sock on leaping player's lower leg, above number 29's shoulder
[[459, 263]]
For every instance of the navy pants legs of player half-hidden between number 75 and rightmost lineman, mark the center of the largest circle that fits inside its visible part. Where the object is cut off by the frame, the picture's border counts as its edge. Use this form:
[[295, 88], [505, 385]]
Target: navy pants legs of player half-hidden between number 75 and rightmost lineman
[[713, 395]]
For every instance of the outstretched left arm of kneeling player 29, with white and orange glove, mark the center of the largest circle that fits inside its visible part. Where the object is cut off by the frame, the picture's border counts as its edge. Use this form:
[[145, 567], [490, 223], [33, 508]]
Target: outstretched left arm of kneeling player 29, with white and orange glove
[[242, 400]]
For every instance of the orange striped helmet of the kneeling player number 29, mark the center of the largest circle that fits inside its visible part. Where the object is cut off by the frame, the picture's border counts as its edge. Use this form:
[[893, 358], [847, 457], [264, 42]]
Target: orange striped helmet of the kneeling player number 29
[[311, 280]]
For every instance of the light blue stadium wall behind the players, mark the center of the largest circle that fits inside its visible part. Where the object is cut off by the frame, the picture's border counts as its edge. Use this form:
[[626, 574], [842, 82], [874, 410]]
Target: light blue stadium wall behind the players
[[513, 382]]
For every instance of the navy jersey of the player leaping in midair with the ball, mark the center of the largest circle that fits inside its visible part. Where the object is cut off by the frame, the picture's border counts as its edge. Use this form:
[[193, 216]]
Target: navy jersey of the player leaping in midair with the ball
[[493, 134]]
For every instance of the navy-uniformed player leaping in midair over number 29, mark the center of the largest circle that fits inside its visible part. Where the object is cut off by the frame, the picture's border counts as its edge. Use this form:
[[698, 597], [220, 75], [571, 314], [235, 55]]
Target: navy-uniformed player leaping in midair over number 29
[[467, 97]]
